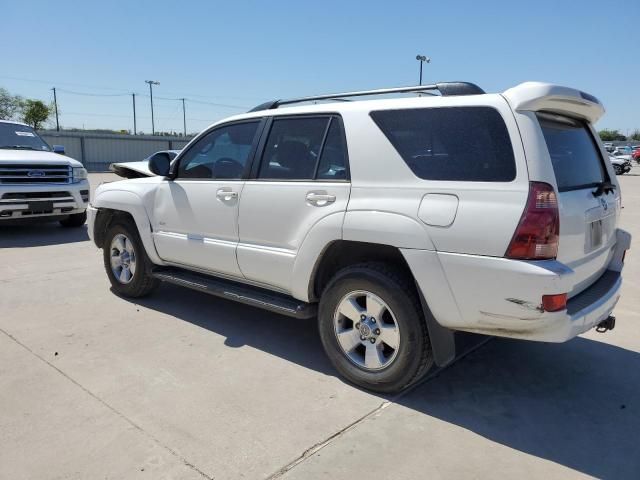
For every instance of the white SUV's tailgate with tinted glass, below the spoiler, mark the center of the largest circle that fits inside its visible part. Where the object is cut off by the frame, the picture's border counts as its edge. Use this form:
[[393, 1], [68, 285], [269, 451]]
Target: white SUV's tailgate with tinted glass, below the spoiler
[[588, 214]]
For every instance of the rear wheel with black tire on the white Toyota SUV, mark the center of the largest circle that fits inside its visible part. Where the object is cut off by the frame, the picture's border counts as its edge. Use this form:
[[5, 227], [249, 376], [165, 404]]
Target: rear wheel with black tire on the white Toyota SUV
[[395, 368]]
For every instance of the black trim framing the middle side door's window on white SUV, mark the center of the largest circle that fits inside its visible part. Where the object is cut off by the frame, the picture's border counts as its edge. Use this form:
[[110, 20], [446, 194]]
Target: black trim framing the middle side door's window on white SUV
[[259, 156]]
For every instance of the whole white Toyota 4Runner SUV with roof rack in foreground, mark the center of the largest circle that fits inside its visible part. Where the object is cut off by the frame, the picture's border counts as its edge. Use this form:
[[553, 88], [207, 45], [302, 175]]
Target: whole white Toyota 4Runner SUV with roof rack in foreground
[[396, 221]]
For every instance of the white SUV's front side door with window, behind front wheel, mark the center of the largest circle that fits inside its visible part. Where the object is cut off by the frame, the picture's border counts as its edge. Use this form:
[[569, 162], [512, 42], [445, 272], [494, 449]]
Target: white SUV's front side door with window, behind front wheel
[[196, 214]]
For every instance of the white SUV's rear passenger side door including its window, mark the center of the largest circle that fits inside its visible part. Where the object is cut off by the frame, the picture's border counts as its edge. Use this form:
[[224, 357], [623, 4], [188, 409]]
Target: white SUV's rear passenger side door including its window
[[301, 180]]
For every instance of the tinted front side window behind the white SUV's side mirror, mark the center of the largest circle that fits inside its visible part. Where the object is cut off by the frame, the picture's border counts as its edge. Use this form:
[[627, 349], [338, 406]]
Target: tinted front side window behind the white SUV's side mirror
[[220, 154]]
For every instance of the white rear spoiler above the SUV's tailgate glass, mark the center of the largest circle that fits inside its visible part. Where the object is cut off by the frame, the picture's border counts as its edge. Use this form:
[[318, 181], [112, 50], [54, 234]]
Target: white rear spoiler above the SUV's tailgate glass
[[538, 96]]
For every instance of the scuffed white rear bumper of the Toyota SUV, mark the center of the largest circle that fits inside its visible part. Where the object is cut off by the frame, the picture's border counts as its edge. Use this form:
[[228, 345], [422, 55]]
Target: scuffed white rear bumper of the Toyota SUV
[[496, 296]]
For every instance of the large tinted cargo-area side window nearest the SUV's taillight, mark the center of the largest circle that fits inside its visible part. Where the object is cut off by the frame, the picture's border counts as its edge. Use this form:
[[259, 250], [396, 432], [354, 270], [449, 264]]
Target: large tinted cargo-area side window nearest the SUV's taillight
[[456, 143]]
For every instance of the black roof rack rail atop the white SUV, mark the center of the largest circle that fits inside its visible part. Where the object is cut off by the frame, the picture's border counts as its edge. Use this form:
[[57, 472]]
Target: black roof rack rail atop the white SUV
[[446, 89]]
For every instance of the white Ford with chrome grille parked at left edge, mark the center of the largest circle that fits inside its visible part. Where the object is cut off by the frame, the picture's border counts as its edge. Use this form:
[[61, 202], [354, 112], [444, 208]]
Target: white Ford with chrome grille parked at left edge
[[38, 182]]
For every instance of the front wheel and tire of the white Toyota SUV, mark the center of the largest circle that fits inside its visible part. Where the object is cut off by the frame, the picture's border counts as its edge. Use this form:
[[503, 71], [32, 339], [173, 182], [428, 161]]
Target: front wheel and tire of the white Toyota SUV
[[122, 240]]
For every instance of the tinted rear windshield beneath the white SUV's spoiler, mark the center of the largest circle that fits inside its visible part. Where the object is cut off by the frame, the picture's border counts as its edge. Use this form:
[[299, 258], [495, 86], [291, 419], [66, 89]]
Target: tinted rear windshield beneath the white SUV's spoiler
[[575, 156]]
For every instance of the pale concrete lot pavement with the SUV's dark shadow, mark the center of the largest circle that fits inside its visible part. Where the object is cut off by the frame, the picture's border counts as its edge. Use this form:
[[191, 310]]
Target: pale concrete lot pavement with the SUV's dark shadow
[[182, 385]]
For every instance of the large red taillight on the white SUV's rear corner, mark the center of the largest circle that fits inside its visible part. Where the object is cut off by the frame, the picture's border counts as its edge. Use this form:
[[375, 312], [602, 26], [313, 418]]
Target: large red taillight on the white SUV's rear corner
[[536, 237]]
